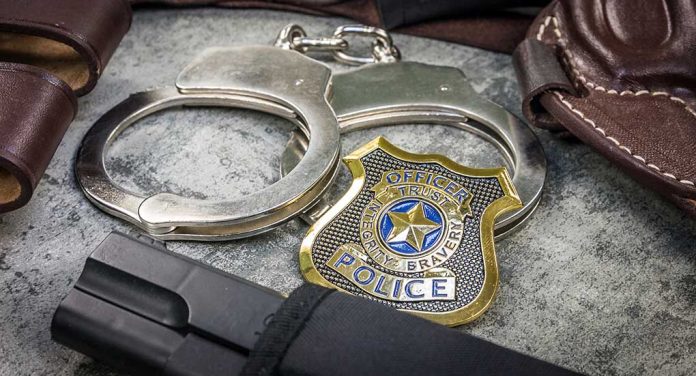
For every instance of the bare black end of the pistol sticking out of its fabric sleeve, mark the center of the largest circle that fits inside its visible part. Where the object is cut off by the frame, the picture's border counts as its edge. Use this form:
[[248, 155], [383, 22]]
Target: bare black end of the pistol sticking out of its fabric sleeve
[[145, 310]]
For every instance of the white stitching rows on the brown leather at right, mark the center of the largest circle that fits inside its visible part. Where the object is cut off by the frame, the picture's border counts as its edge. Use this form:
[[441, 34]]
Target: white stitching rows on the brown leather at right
[[578, 76]]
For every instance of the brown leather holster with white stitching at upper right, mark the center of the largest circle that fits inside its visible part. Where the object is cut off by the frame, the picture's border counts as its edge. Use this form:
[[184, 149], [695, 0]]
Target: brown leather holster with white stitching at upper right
[[619, 75]]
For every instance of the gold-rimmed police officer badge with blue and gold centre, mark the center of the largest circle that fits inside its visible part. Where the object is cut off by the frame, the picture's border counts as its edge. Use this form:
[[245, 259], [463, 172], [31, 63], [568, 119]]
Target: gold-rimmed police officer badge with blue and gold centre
[[414, 231]]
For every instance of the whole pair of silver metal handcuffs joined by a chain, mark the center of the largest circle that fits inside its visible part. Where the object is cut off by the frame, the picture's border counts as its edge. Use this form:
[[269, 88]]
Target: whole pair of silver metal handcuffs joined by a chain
[[282, 81]]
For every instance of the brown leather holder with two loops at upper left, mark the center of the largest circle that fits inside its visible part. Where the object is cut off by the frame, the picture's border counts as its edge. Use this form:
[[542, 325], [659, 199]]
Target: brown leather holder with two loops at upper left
[[50, 51]]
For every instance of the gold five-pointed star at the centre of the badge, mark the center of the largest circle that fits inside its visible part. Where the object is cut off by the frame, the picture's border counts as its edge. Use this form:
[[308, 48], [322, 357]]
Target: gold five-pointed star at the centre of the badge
[[411, 227]]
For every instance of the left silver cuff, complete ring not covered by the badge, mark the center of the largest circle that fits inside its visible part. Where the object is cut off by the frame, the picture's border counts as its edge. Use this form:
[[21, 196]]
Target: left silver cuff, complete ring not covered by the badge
[[244, 77]]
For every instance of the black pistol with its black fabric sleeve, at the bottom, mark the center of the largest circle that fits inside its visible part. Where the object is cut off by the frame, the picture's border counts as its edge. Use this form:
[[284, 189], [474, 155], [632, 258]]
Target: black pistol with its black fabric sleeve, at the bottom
[[148, 311]]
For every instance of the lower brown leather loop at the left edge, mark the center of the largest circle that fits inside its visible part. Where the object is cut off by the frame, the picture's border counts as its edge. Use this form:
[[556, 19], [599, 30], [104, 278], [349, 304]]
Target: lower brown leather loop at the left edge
[[35, 110]]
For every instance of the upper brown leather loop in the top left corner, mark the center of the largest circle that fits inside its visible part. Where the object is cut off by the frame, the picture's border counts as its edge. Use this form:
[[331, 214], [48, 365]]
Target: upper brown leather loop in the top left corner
[[73, 39]]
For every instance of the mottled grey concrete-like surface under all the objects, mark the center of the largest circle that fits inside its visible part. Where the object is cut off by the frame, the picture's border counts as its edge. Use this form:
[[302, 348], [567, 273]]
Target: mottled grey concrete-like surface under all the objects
[[602, 279]]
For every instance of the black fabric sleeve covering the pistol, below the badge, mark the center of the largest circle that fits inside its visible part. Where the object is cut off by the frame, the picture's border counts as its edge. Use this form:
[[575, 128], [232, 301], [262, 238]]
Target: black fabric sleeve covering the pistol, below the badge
[[323, 332]]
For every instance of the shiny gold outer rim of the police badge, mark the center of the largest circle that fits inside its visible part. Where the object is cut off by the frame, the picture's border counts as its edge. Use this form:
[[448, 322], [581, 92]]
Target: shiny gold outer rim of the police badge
[[510, 201]]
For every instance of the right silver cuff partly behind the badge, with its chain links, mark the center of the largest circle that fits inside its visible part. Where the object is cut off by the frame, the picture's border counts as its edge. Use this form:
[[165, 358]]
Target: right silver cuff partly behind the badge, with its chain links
[[387, 91]]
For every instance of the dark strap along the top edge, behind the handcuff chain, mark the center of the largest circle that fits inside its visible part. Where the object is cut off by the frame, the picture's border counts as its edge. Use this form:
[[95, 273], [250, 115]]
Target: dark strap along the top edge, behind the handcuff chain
[[497, 29]]
